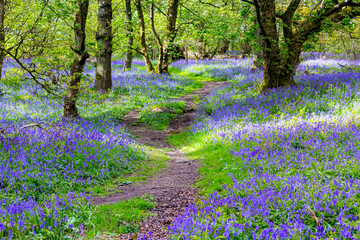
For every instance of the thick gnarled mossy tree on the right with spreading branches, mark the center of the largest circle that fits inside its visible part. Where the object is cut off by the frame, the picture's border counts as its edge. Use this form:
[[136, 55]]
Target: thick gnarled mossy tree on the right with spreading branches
[[280, 64]]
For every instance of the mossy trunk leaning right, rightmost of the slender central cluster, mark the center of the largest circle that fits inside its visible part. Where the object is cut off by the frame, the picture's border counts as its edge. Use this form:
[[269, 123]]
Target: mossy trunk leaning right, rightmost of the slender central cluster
[[170, 35]]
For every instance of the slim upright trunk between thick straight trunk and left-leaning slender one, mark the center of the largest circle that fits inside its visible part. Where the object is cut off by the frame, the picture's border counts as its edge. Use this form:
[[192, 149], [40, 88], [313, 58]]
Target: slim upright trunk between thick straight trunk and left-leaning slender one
[[129, 35]]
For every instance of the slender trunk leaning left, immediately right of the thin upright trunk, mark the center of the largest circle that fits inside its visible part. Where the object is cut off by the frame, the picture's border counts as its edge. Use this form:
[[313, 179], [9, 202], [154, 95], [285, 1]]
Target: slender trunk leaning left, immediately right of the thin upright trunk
[[143, 45]]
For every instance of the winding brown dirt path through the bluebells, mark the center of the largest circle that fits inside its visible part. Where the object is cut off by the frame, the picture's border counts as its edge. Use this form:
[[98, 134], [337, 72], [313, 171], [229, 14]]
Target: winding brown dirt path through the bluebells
[[173, 188]]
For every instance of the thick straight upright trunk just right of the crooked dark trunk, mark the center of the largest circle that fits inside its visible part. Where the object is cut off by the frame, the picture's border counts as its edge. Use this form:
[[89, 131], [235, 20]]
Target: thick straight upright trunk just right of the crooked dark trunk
[[104, 46]]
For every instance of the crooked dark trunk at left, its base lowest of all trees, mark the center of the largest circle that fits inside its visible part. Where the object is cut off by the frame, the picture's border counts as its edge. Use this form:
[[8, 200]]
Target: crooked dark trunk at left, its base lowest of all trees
[[70, 109]]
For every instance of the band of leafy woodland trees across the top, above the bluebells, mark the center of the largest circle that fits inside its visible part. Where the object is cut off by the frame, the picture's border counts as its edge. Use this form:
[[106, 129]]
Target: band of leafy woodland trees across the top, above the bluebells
[[53, 33]]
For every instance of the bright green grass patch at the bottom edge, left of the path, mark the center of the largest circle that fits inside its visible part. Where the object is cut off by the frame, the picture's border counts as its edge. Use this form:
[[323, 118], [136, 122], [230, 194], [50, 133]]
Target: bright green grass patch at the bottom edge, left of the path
[[122, 217]]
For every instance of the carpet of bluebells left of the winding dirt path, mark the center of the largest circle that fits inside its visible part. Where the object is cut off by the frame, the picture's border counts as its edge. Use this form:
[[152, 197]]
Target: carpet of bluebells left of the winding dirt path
[[47, 163]]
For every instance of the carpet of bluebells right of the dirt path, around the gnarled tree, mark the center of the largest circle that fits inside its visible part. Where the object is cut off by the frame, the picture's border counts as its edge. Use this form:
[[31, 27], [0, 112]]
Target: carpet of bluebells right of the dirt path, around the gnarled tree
[[295, 154]]
